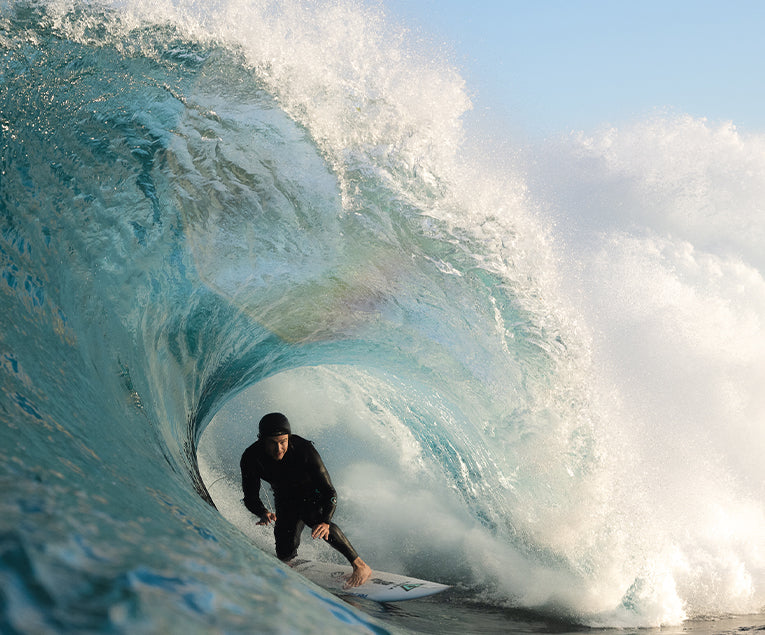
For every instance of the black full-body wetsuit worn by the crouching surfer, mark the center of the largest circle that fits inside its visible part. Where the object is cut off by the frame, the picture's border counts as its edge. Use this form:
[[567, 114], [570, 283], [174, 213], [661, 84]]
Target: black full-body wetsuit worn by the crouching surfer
[[303, 494]]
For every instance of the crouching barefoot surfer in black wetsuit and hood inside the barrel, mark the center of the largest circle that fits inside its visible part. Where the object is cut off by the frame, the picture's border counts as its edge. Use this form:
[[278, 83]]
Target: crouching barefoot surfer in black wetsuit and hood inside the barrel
[[303, 492]]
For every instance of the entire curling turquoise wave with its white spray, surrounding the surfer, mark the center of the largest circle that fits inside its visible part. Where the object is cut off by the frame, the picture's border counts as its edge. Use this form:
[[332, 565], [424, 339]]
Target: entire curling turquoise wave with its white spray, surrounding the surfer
[[533, 370]]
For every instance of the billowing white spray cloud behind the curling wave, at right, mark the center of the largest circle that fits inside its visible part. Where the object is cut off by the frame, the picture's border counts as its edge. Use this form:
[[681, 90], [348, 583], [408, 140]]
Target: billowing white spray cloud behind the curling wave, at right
[[670, 279]]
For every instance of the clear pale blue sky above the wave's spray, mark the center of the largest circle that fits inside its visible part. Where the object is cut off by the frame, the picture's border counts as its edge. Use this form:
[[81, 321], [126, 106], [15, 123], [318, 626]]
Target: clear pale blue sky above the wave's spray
[[556, 65]]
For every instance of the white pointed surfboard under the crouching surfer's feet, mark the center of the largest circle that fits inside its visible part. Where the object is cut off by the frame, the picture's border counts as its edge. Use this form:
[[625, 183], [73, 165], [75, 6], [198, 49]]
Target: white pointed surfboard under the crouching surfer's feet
[[381, 586]]
